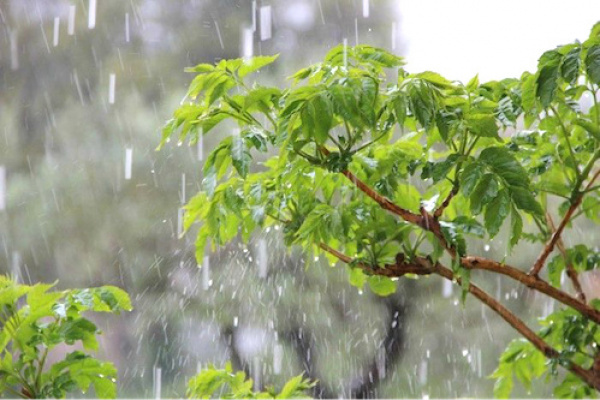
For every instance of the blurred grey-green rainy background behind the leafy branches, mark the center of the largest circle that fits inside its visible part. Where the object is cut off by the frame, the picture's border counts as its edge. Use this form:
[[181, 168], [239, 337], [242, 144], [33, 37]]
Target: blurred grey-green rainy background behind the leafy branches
[[69, 212]]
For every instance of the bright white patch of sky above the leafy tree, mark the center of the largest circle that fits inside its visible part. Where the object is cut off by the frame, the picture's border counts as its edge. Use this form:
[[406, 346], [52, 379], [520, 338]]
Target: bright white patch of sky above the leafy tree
[[495, 38]]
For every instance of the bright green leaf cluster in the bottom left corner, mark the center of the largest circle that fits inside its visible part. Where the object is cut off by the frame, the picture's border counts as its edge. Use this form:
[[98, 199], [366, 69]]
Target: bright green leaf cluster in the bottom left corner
[[36, 321]]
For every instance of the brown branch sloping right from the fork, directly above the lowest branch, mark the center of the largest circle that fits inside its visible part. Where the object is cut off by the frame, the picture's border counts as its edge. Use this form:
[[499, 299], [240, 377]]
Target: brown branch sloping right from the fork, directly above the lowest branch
[[532, 282]]
